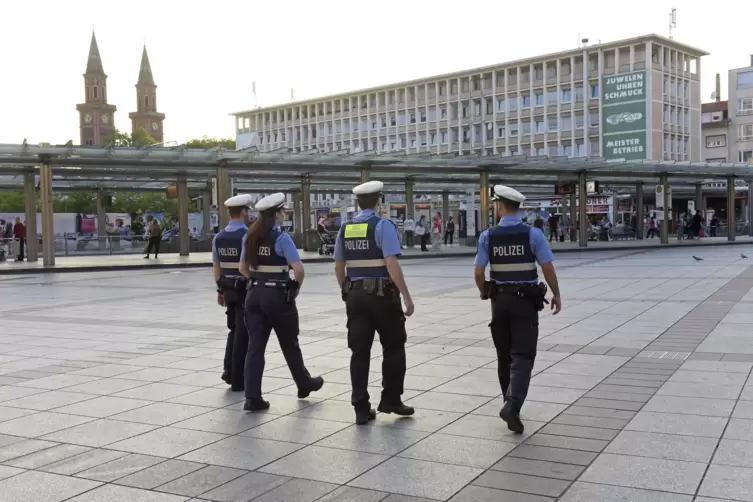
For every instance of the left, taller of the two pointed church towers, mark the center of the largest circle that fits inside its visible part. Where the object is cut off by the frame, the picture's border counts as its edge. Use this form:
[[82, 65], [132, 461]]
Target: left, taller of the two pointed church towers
[[95, 115]]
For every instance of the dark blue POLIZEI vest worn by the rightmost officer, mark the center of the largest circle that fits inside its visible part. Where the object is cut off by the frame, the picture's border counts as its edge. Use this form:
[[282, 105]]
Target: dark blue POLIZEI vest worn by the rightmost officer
[[511, 258]]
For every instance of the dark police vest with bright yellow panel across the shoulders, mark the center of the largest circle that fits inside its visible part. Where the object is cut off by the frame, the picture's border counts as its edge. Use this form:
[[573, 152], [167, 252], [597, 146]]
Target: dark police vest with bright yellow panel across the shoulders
[[363, 258]]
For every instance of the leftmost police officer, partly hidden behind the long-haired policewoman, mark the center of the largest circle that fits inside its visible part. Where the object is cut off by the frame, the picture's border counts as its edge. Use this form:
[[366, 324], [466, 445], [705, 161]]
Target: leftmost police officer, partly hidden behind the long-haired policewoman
[[231, 287]]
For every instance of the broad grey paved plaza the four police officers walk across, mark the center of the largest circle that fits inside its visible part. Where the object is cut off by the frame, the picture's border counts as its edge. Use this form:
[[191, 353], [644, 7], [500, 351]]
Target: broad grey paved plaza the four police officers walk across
[[110, 391]]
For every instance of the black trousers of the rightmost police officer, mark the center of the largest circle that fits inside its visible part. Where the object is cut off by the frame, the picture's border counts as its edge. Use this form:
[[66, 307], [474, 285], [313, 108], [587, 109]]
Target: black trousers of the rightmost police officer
[[515, 332]]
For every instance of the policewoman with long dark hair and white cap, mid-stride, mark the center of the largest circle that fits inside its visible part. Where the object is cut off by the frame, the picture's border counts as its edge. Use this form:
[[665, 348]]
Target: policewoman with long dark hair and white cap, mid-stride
[[267, 257]]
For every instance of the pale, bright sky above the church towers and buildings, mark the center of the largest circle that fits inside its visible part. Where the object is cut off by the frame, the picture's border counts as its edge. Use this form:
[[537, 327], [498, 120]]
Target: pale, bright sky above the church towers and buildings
[[205, 58]]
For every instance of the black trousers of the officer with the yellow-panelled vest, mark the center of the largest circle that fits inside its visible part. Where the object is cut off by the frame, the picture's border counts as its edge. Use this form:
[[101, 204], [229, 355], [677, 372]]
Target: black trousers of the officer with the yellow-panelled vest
[[369, 313]]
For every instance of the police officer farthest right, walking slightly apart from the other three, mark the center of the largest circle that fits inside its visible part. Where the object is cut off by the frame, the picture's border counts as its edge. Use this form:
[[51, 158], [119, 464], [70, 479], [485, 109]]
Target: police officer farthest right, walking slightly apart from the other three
[[512, 249]]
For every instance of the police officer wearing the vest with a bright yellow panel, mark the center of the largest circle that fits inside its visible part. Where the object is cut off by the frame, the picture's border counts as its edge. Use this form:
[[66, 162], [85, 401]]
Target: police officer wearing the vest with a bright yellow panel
[[370, 277]]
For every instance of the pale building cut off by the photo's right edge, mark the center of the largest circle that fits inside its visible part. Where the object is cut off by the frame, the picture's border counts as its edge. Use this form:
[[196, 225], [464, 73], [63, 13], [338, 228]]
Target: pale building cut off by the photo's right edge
[[741, 112]]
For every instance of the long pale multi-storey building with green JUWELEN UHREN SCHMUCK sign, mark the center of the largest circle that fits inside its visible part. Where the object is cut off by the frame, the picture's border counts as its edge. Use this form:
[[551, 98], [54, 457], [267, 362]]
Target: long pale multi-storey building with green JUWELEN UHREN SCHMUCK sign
[[634, 98]]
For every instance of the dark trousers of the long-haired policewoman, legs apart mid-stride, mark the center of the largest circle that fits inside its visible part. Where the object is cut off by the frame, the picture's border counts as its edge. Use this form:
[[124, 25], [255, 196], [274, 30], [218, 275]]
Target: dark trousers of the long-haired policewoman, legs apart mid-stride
[[267, 310]]
